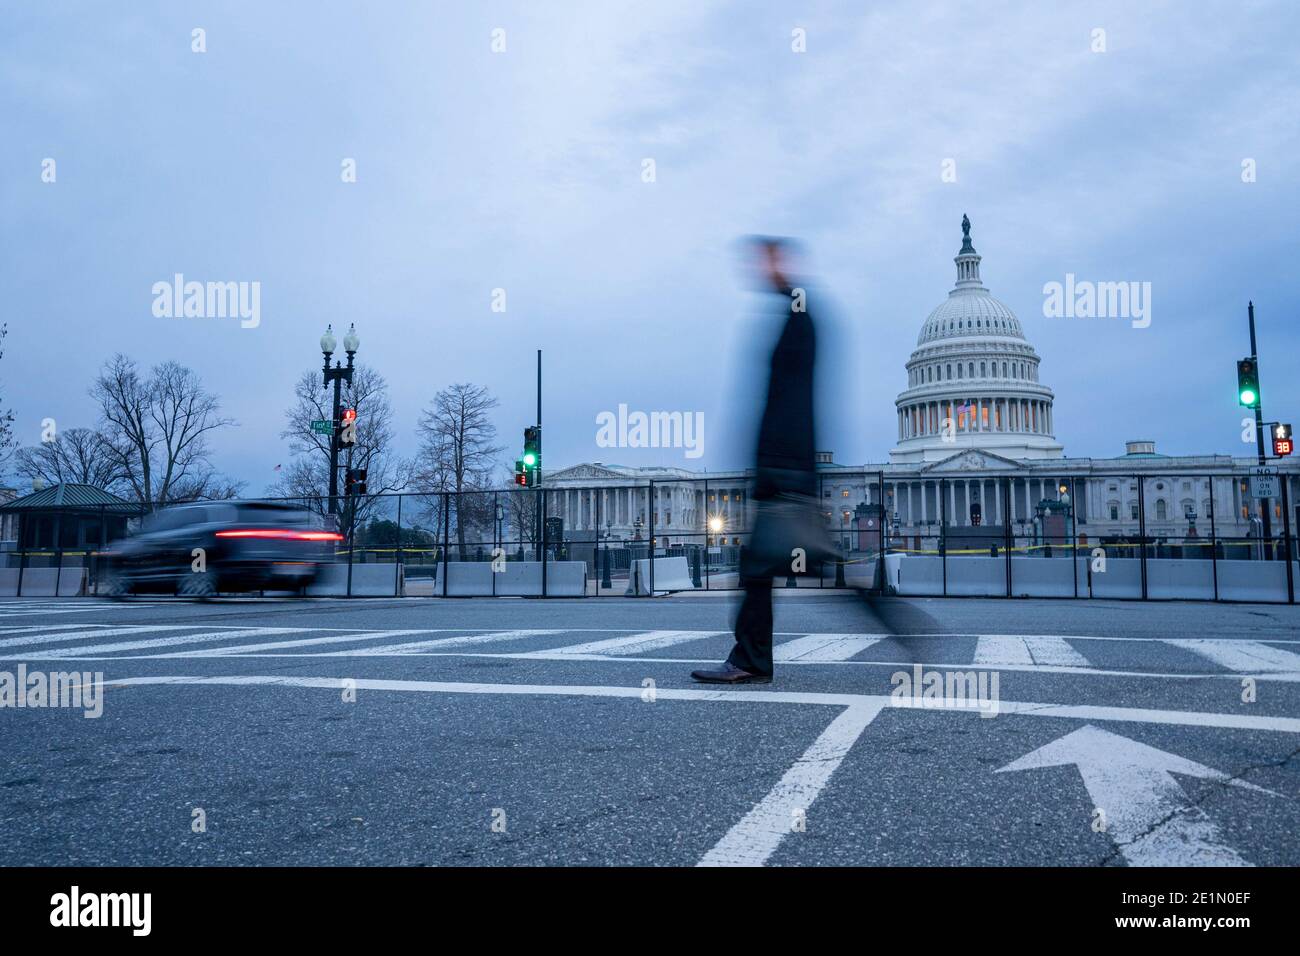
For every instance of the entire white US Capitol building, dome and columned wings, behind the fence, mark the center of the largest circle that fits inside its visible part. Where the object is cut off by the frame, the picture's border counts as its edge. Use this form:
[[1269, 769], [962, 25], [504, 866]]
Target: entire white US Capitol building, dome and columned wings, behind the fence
[[973, 414]]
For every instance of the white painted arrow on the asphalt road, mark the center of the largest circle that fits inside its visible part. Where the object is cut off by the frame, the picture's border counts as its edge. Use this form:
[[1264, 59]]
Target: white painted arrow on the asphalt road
[[1147, 812]]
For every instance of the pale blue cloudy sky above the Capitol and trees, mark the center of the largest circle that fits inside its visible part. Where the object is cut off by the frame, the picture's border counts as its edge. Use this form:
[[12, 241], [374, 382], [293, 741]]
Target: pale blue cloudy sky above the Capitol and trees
[[523, 171]]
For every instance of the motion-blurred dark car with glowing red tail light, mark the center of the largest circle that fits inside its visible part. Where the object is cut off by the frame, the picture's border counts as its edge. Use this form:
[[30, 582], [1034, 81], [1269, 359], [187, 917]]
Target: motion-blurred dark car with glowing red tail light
[[209, 548]]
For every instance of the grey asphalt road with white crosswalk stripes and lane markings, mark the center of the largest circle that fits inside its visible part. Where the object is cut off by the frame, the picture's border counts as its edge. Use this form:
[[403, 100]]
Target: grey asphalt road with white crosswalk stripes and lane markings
[[515, 732]]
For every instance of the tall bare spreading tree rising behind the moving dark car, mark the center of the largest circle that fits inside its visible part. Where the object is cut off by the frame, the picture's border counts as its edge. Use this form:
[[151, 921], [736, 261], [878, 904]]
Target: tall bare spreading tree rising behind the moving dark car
[[159, 431]]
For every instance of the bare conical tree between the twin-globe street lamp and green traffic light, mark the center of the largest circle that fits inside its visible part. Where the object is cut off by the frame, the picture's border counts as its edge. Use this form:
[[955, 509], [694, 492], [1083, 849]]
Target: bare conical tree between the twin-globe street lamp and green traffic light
[[457, 455]]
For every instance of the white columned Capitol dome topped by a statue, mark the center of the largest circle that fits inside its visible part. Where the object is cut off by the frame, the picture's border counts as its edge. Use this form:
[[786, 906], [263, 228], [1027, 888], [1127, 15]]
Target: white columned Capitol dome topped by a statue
[[973, 380]]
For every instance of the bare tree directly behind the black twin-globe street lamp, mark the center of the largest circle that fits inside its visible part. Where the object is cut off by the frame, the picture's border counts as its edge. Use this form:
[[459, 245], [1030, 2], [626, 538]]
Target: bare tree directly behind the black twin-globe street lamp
[[307, 477]]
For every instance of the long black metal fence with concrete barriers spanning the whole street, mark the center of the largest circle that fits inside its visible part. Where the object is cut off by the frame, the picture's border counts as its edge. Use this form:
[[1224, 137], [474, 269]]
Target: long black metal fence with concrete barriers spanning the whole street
[[1116, 537]]
